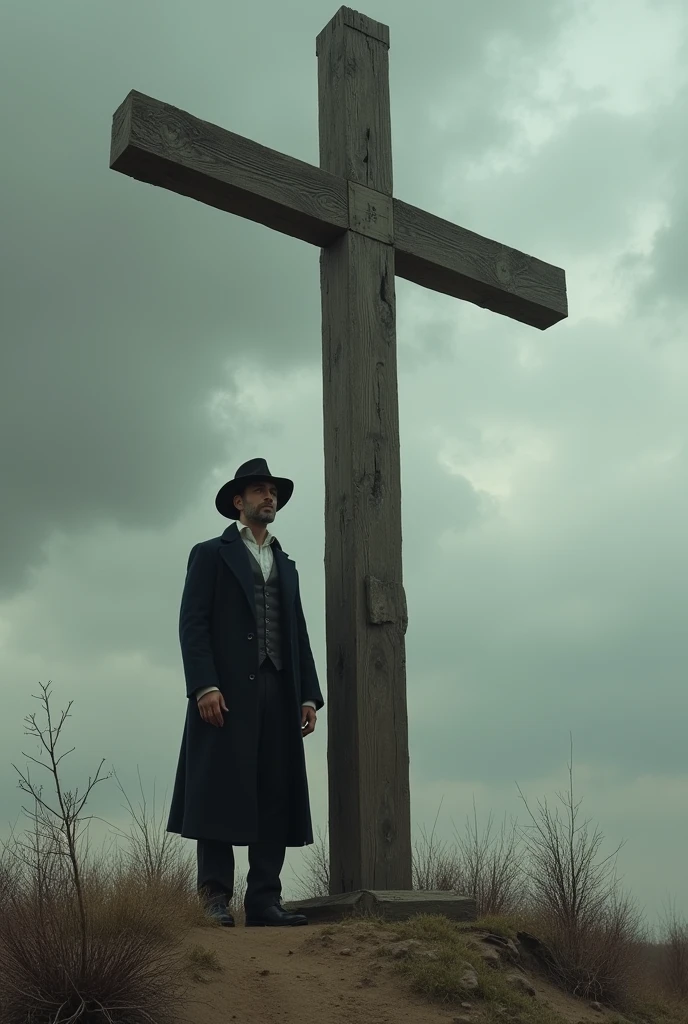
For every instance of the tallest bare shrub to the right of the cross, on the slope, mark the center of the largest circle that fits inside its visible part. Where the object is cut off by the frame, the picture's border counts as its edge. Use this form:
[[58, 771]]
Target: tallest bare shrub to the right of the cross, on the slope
[[591, 927]]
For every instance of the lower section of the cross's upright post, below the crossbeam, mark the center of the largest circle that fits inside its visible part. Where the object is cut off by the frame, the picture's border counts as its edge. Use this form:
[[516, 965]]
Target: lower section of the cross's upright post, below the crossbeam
[[368, 743]]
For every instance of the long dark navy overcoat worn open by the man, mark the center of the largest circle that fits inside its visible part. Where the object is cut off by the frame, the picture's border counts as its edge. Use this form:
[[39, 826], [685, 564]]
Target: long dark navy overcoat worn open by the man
[[216, 787]]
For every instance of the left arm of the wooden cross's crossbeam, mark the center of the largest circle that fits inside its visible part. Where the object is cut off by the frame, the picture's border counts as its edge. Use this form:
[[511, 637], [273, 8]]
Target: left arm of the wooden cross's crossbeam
[[163, 146]]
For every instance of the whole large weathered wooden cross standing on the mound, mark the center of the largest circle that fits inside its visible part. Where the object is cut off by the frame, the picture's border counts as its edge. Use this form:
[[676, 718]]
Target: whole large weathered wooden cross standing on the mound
[[367, 237]]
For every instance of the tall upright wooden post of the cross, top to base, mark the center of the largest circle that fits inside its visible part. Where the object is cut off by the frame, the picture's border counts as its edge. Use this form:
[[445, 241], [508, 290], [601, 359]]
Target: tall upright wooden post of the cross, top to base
[[368, 741]]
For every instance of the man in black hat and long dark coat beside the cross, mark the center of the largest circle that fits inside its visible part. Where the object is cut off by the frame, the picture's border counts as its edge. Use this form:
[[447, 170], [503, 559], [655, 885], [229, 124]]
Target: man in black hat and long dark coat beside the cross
[[254, 696]]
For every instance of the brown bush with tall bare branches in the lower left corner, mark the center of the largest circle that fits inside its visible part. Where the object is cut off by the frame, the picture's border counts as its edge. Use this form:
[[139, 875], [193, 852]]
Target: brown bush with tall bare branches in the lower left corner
[[66, 954]]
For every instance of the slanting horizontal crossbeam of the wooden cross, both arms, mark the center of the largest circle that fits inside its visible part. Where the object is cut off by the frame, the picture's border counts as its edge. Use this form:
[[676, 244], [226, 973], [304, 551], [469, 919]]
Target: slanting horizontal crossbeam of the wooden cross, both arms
[[166, 147]]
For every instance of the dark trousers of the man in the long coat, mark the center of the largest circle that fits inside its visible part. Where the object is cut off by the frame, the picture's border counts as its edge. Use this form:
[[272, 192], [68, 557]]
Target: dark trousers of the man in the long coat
[[267, 857]]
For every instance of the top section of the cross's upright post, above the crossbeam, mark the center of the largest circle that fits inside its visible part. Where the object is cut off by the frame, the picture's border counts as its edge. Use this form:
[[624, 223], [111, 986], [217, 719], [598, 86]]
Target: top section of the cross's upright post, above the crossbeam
[[354, 106]]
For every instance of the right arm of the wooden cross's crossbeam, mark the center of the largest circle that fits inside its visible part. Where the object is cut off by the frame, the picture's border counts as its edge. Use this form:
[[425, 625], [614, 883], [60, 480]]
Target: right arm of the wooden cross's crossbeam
[[447, 259]]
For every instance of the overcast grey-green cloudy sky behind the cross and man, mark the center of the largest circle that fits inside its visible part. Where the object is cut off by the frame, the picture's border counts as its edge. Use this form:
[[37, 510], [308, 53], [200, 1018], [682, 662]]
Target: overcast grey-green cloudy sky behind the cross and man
[[151, 345]]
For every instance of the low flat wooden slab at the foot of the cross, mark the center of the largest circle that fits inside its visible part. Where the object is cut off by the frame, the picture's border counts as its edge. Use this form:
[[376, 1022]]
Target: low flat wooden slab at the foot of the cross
[[391, 905]]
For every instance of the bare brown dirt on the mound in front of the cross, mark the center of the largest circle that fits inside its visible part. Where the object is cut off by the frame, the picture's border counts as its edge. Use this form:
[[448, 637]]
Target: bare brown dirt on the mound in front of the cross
[[308, 976]]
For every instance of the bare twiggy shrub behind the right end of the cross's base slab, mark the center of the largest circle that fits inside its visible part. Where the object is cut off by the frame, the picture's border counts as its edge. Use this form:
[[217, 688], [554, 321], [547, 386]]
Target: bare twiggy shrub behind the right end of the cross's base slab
[[491, 868]]
